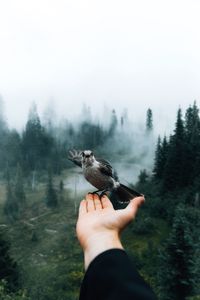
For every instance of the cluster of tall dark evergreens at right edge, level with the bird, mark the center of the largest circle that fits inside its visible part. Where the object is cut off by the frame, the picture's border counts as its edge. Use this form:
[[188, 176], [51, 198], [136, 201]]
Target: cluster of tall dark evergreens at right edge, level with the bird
[[177, 161]]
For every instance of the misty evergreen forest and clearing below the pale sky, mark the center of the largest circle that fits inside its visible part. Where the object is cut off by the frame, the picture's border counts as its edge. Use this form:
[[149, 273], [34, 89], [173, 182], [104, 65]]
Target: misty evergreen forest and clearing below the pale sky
[[40, 190]]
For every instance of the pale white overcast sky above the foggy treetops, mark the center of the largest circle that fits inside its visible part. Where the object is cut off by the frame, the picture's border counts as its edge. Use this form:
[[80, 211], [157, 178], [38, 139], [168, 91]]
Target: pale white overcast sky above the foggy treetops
[[127, 53]]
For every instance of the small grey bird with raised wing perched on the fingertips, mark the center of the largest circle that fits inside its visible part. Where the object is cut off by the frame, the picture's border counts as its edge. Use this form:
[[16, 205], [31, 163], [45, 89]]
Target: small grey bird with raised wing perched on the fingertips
[[99, 173]]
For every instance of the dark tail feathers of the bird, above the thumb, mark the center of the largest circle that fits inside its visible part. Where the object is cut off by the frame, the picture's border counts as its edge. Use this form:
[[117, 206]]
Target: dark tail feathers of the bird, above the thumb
[[124, 194]]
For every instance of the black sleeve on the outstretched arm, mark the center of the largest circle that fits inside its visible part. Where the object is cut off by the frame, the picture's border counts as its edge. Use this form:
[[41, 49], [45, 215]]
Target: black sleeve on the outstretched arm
[[112, 276]]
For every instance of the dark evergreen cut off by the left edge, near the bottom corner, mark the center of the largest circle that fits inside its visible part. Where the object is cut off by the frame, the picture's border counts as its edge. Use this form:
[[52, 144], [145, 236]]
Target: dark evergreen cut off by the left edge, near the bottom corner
[[8, 268]]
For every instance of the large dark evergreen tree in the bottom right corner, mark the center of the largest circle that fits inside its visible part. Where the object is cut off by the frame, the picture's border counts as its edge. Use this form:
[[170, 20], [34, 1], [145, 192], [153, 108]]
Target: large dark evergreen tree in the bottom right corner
[[177, 274]]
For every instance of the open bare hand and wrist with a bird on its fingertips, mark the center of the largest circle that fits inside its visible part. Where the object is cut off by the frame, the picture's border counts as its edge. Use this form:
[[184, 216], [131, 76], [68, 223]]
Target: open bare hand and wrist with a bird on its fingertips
[[99, 225]]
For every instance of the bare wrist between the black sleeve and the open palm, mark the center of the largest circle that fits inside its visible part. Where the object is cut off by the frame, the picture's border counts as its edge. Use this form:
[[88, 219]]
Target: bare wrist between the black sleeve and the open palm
[[98, 243]]
